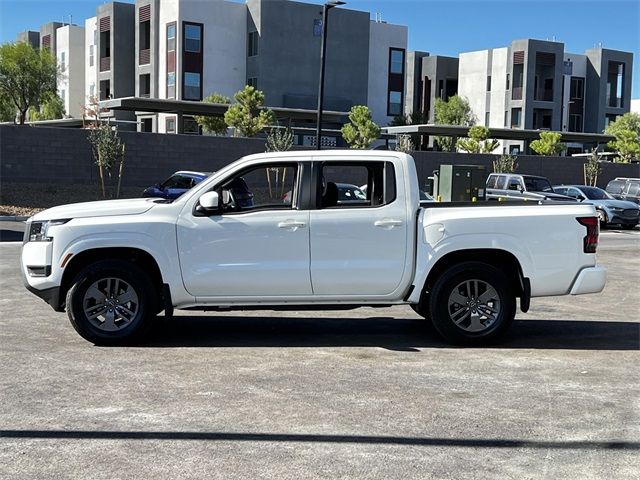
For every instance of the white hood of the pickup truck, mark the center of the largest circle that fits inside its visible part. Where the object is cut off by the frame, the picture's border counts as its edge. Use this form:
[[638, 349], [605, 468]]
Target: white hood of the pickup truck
[[103, 208]]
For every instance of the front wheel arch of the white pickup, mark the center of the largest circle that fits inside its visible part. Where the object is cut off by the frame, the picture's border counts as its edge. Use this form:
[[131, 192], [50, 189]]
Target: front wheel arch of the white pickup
[[137, 256]]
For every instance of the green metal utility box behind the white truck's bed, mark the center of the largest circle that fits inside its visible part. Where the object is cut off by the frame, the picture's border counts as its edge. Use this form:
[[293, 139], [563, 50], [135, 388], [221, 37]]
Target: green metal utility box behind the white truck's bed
[[460, 183]]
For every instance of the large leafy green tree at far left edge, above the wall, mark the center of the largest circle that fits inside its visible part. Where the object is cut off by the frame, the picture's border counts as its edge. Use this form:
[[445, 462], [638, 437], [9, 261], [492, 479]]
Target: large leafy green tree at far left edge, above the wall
[[26, 75]]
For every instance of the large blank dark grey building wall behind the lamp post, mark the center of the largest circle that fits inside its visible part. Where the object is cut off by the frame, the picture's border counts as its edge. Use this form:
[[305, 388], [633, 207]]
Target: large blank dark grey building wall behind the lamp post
[[288, 62]]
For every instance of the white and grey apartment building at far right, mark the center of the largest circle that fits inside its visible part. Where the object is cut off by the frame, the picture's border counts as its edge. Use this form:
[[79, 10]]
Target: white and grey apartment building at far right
[[534, 84]]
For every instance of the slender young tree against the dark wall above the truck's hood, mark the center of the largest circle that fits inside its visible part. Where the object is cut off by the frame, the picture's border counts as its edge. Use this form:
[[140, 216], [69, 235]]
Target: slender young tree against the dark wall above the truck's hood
[[108, 152]]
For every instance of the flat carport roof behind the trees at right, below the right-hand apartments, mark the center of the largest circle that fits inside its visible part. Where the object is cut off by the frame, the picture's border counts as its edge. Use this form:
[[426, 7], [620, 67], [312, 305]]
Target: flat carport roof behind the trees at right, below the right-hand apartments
[[456, 131]]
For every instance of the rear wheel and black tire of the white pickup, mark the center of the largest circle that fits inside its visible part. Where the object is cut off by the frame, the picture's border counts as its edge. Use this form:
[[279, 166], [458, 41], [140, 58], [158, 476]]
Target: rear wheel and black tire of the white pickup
[[478, 322]]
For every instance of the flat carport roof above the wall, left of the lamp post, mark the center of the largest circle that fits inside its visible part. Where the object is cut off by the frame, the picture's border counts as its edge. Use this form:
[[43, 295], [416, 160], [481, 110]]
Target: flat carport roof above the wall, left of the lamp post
[[182, 107]]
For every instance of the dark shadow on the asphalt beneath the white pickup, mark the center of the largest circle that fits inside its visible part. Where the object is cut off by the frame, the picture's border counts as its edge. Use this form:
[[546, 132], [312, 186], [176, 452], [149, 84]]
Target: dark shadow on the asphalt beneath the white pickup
[[390, 333]]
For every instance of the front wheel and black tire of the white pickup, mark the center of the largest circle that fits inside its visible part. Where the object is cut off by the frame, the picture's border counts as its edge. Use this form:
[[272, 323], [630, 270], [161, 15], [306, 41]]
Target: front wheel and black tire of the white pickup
[[118, 323]]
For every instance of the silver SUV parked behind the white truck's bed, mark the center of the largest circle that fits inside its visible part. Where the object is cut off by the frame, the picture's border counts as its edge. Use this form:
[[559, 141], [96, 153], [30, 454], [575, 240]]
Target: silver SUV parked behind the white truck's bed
[[509, 186]]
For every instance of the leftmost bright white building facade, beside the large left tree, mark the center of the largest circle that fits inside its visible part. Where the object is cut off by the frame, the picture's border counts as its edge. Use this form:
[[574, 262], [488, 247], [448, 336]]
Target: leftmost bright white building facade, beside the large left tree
[[70, 41]]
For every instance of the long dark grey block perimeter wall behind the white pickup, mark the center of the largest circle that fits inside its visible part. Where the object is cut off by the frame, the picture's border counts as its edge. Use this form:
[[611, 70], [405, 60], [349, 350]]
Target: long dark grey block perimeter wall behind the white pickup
[[63, 156]]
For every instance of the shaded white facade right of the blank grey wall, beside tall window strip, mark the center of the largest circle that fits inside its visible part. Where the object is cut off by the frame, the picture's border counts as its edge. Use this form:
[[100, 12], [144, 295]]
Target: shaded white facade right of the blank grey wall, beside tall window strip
[[382, 37]]
